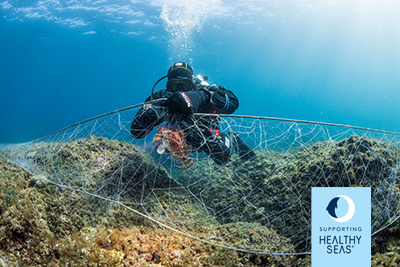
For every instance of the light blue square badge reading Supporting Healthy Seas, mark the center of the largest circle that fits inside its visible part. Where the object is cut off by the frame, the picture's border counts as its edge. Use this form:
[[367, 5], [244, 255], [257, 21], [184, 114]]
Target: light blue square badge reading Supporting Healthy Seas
[[341, 226]]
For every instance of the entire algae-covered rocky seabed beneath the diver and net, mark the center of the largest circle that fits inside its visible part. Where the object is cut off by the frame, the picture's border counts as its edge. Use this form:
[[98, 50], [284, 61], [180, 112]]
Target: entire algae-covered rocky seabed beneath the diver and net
[[70, 212]]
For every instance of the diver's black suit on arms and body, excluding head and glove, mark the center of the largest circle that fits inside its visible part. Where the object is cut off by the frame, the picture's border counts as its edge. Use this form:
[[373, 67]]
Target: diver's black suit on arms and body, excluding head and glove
[[201, 133]]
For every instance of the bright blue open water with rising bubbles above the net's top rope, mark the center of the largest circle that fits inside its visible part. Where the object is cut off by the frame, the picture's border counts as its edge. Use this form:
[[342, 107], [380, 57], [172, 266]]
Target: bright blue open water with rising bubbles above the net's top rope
[[335, 61]]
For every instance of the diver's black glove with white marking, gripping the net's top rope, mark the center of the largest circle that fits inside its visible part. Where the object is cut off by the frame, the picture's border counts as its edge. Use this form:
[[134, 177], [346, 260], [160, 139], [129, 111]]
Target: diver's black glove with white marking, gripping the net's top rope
[[186, 102]]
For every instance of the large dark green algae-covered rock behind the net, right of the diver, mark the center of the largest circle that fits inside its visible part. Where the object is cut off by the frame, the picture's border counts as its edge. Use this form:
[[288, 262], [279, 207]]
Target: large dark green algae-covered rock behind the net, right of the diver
[[275, 188]]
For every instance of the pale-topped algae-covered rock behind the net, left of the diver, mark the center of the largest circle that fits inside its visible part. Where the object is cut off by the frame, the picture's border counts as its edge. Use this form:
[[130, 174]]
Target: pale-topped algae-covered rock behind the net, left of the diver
[[90, 163]]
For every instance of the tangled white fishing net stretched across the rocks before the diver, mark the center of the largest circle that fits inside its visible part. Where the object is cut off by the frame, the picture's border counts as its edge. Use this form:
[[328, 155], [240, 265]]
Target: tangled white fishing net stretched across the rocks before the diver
[[262, 205]]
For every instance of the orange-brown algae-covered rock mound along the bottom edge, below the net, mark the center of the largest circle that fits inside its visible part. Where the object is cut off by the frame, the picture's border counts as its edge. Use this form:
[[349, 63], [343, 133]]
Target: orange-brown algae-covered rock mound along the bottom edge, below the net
[[146, 246]]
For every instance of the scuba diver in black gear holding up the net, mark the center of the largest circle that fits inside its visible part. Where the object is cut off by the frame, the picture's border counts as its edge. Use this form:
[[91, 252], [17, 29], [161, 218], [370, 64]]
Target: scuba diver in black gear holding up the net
[[185, 95]]
